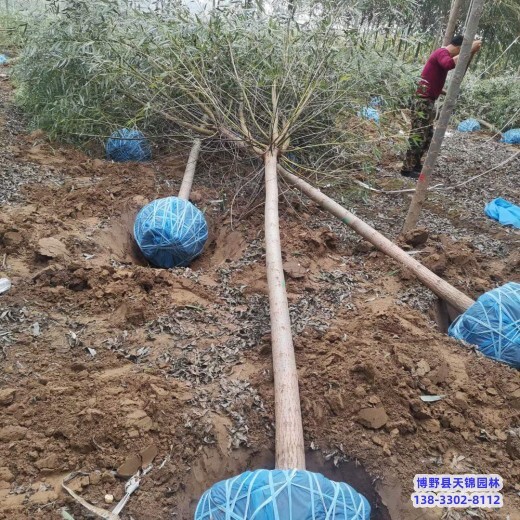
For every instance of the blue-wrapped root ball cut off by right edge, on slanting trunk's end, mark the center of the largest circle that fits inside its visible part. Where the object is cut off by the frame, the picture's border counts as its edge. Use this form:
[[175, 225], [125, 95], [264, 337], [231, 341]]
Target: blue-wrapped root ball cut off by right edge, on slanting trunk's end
[[493, 324]]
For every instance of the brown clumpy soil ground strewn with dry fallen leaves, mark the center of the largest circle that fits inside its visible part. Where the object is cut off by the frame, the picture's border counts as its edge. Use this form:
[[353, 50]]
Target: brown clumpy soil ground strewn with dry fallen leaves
[[108, 364]]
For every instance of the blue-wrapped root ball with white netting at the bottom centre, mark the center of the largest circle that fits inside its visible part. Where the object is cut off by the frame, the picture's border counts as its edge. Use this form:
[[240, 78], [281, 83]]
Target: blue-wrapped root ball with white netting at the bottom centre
[[282, 495]]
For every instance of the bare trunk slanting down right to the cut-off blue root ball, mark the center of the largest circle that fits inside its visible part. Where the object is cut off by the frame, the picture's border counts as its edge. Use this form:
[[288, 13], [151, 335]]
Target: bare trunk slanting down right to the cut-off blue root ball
[[440, 287]]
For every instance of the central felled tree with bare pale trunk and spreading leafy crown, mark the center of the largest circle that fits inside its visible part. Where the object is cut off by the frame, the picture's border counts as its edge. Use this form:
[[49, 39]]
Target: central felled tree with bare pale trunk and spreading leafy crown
[[274, 90]]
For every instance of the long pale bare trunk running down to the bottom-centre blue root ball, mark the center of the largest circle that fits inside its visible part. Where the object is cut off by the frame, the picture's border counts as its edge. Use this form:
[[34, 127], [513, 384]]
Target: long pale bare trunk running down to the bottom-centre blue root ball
[[290, 453]]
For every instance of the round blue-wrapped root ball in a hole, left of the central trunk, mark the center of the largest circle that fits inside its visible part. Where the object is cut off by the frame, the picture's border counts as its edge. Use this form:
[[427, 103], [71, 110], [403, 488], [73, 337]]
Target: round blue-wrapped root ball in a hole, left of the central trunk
[[170, 232]]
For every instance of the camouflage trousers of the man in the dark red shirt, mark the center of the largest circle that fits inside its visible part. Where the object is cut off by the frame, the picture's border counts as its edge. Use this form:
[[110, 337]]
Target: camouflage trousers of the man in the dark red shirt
[[423, 115]]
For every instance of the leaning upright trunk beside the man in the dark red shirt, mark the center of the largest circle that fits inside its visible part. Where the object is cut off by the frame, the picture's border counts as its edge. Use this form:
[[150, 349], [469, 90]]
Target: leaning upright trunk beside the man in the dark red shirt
[[449, 104]]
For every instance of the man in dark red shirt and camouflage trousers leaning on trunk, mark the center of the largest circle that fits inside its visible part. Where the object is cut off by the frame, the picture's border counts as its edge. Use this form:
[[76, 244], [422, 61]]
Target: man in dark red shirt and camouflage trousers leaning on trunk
[[431, 86]]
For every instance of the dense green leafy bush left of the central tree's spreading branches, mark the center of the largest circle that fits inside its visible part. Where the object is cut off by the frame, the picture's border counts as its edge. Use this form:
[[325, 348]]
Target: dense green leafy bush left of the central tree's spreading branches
[[66, 71]]
